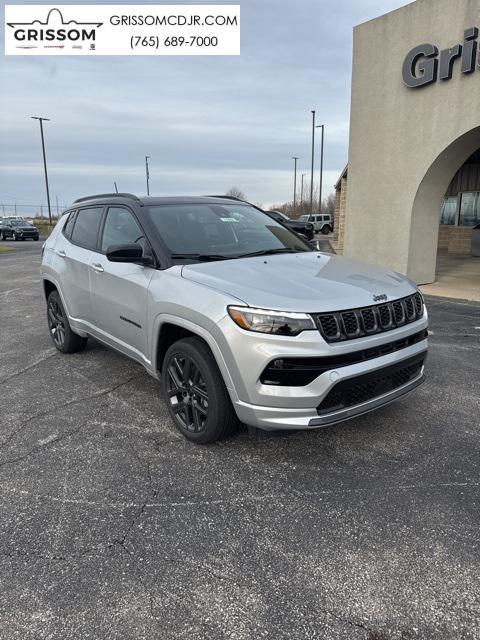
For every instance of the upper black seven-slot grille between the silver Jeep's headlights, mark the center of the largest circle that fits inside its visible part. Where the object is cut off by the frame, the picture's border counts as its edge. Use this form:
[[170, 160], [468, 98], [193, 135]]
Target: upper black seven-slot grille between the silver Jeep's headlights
[[355, 323]]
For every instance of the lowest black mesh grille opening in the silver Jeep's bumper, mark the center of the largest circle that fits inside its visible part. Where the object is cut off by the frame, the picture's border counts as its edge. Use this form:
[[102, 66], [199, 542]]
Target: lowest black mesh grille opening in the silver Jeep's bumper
[[369, 386]]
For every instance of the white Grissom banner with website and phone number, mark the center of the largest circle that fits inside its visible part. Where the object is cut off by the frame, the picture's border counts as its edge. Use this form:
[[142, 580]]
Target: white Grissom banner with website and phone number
[[117, 30]]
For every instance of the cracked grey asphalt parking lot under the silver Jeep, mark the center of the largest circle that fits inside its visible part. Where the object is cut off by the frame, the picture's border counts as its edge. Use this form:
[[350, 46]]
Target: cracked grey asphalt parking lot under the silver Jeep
[[113, 526]]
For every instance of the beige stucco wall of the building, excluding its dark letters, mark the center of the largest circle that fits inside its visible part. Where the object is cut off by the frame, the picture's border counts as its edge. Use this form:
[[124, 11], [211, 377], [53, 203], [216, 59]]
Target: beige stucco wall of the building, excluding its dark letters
[[406, 144]]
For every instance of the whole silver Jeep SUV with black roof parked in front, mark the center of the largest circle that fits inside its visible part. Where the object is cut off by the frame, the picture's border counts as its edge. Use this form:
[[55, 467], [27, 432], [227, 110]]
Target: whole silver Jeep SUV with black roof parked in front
[[236, 315]]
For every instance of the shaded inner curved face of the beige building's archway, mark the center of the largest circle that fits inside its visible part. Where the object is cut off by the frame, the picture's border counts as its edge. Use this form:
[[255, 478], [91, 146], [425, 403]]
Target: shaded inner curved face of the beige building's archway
[[427, 205]]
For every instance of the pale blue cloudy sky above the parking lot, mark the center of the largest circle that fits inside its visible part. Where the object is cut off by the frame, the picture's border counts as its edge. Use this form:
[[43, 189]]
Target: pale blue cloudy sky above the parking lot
[[208, 123]]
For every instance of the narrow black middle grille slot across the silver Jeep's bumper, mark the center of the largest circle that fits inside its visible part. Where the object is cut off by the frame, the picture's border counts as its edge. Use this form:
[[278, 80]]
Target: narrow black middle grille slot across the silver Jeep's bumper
[[298, 372]]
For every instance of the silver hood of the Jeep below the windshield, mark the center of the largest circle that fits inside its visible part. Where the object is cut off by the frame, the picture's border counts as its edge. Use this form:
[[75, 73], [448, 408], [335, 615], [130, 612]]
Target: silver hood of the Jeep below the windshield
[[308, 282]]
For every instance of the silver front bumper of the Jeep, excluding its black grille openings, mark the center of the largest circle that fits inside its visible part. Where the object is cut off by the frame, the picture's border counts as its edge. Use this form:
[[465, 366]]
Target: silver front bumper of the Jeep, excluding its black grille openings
[[272, 407]]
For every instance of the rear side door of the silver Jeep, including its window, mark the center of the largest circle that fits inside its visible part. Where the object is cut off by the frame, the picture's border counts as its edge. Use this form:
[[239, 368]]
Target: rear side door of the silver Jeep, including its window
[[74, 251]]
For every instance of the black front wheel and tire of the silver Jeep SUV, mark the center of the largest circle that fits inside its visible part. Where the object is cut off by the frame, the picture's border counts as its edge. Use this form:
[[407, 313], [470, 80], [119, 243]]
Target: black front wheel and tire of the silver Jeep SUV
[[195, 394]]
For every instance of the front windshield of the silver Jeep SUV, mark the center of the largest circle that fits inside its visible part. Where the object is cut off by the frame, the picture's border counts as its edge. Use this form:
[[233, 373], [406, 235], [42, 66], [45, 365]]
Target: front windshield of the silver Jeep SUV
[[221, 231]]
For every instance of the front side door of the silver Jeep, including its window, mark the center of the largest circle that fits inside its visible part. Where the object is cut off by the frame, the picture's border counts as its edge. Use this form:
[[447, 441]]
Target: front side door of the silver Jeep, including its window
[[120, 290]]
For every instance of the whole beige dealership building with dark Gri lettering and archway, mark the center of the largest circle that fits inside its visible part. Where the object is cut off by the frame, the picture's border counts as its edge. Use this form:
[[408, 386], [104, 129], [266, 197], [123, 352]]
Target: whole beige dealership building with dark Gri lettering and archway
[[411, 190]]
